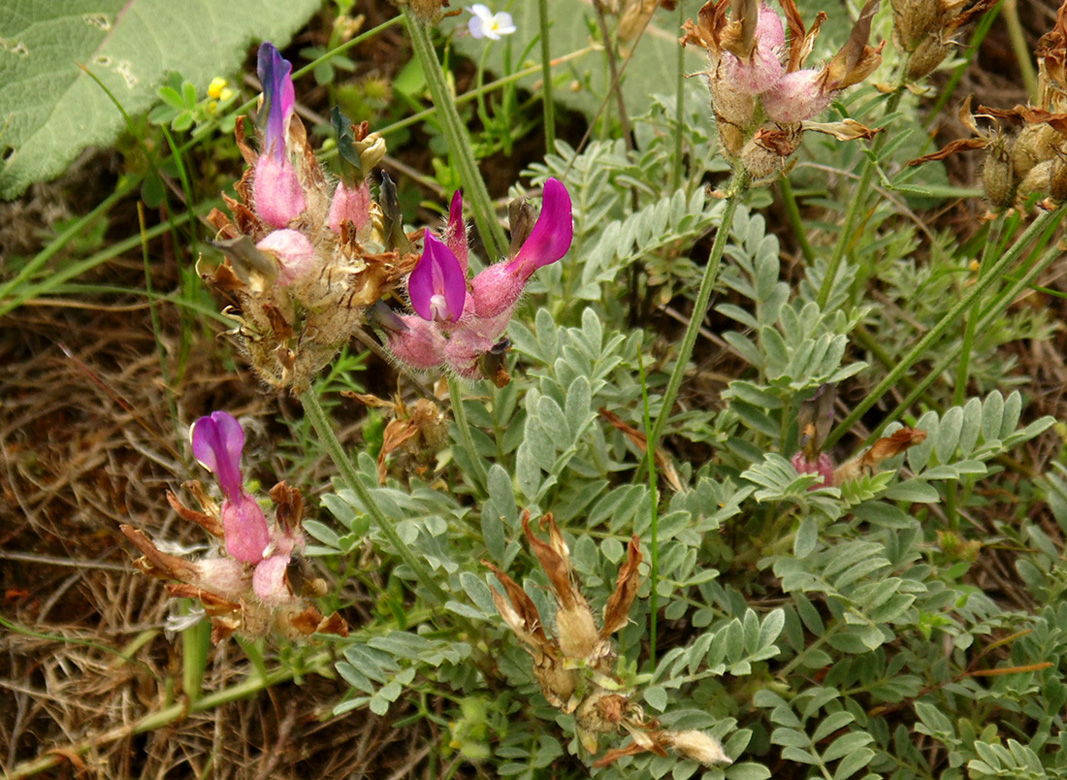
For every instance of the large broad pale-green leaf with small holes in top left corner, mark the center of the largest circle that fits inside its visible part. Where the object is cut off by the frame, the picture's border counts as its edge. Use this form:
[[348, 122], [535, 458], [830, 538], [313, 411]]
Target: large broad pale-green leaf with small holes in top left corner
[[51, 109]]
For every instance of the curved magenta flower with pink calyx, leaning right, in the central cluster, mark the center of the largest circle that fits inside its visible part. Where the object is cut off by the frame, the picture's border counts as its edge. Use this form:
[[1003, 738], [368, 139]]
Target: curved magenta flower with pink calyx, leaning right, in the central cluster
[[498, 289]]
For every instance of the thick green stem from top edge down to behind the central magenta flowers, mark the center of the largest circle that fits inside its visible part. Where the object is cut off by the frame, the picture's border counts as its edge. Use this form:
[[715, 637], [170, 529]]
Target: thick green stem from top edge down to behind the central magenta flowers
[[459, 144]]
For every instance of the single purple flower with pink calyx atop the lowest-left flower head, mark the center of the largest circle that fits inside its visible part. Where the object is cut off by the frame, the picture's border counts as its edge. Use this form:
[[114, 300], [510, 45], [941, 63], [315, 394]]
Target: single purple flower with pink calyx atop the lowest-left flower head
[[218, 442]]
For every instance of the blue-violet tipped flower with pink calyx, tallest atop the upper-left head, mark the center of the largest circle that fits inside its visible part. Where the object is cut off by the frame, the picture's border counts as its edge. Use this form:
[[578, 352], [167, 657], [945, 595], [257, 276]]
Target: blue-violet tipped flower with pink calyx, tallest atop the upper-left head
[[279, 196]]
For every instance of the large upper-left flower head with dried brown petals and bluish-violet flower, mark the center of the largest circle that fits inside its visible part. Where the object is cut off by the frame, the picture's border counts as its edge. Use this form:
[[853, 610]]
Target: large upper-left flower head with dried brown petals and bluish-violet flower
[[306, 253]]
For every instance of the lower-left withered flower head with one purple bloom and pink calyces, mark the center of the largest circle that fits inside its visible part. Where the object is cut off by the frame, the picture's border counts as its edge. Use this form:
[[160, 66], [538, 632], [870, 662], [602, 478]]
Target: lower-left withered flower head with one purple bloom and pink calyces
[[252, 584]]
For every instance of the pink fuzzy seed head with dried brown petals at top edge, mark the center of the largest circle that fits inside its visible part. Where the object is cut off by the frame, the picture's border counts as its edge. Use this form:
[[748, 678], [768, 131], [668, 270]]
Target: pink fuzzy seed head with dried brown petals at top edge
[[763, 95]]
